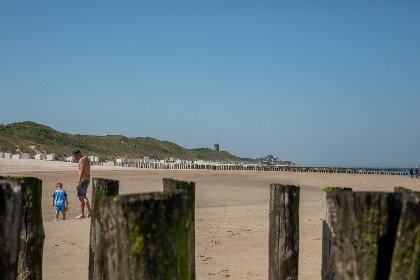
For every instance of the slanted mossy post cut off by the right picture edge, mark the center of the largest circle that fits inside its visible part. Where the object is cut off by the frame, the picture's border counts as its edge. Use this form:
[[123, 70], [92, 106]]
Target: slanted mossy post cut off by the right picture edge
[[406, 257]]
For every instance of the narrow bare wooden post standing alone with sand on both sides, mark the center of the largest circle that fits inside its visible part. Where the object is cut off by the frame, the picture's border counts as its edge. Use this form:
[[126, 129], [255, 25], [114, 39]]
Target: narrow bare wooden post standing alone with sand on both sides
[[284, 232]]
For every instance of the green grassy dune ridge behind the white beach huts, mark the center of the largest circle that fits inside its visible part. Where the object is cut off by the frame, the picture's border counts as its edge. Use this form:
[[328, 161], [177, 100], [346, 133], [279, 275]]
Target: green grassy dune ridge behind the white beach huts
[[32, 138]]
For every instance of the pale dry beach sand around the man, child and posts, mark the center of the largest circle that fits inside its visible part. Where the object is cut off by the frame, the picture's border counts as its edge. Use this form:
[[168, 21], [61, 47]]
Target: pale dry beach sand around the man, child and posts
[[231, 215]]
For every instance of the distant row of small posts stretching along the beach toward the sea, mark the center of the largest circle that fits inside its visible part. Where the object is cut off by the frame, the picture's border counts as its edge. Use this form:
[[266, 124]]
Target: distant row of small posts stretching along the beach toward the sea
[[260, 167]]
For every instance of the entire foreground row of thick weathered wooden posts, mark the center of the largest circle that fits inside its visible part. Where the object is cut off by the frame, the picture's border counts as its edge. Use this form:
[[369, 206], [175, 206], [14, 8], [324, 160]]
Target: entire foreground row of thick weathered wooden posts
[[366, 235]]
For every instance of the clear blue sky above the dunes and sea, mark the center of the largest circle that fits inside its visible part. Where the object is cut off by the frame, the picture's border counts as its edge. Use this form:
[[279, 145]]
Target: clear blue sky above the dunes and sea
[[319, 83]]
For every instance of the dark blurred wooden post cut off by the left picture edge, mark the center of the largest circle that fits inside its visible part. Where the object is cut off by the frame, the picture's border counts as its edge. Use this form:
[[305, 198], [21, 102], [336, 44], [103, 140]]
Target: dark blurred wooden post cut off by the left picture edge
[[11, 201]]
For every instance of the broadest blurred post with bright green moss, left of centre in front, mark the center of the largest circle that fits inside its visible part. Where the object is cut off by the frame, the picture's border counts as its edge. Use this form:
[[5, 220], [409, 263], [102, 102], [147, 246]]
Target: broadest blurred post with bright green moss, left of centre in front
[[147, 236]]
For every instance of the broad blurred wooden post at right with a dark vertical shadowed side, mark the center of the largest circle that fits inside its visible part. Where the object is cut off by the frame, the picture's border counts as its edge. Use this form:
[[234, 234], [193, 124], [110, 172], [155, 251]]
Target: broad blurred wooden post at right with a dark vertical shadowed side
[[363, 228]]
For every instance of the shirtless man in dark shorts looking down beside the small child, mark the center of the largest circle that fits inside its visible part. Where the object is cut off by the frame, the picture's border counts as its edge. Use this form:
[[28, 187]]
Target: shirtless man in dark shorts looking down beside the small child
[[83, 183]]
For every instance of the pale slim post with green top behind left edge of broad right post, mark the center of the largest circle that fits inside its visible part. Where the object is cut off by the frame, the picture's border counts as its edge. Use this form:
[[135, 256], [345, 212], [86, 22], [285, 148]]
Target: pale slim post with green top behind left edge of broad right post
[[328, 268]]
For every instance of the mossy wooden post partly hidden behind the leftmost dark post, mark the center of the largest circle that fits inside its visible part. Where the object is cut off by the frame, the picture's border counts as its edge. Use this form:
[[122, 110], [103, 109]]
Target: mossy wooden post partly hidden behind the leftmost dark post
[[32, 233]]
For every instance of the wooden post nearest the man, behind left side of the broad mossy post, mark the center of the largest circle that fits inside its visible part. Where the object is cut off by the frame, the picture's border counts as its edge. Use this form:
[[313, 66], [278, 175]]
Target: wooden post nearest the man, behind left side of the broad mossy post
[[101, 188]]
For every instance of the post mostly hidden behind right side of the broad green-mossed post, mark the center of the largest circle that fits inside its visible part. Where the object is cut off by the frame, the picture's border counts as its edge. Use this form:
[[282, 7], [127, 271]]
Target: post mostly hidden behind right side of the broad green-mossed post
[[189, 187]]
